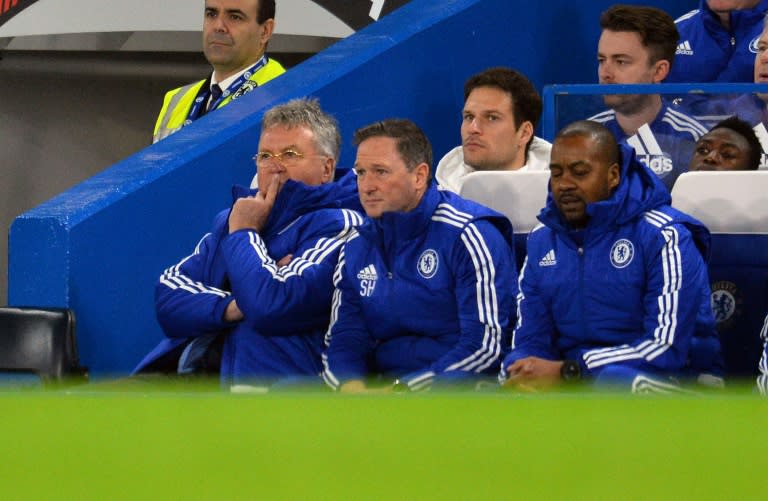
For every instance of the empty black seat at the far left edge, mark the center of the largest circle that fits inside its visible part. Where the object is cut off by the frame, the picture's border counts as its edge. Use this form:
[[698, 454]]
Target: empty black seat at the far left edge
[[38, 344]]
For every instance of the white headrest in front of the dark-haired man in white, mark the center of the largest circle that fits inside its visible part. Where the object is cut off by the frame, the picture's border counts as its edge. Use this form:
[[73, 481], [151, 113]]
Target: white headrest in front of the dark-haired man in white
[[518, 195]]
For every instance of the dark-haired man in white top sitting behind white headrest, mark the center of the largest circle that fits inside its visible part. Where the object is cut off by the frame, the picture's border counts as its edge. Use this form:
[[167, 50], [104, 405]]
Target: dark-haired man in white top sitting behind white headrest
[[501, 112]]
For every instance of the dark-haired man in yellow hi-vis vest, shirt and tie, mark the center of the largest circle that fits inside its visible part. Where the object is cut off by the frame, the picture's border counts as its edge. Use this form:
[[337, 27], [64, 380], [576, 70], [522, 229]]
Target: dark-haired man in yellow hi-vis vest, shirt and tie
[[235, 38]]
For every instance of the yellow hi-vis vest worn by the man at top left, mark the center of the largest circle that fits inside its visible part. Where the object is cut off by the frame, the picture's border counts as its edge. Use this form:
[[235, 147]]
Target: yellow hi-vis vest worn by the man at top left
[[178, 102]]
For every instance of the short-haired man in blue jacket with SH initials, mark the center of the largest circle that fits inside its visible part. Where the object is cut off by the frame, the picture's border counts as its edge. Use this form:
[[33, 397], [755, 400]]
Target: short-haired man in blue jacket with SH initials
[[425, 288]]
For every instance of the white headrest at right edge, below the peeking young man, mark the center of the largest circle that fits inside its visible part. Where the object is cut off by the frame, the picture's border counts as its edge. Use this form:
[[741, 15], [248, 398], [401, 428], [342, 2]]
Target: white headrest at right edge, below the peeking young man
[[726, 202]]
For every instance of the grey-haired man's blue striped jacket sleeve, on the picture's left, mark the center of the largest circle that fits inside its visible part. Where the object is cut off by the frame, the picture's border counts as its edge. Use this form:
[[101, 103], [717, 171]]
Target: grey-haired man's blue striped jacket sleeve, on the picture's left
[[187, 306]]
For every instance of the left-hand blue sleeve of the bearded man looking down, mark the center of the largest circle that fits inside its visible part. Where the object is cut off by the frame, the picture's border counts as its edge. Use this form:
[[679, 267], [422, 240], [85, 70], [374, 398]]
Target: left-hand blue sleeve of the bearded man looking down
[[534, 331]]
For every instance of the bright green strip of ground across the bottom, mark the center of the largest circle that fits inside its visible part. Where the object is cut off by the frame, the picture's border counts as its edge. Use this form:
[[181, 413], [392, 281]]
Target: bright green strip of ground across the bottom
[[182, 443]]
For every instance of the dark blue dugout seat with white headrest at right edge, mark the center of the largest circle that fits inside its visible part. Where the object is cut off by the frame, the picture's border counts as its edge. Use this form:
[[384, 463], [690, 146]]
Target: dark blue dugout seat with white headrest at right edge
[[734, 206]]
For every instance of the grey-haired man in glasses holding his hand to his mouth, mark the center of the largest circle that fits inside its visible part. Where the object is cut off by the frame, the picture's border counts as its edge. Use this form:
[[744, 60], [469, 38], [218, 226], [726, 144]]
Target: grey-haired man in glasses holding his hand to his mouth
[[255, 296]]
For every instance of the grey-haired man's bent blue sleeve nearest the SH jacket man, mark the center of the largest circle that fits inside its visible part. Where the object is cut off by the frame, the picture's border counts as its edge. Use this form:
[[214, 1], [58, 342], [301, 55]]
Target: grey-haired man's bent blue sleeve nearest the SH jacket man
[[285, 300]]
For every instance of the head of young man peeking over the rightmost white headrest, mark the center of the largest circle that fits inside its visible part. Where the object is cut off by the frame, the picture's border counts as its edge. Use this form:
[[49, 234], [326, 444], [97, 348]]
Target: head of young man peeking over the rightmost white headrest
[[730, 145]]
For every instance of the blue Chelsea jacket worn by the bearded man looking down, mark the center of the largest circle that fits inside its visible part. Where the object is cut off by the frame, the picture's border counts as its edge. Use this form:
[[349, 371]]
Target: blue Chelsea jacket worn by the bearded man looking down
[[634, 291]]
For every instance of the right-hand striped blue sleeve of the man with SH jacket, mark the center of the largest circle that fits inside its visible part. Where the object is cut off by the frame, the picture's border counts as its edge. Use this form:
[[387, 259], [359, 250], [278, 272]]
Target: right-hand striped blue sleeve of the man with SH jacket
[[485, 288]]
